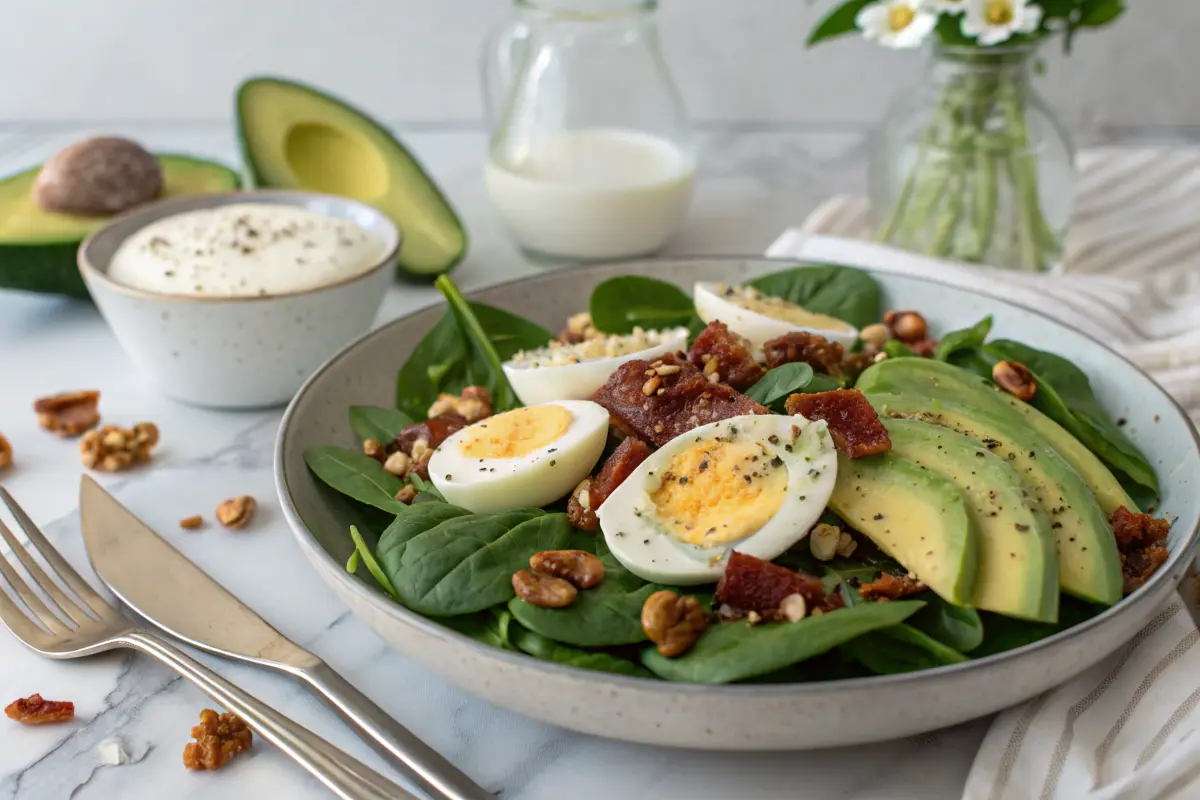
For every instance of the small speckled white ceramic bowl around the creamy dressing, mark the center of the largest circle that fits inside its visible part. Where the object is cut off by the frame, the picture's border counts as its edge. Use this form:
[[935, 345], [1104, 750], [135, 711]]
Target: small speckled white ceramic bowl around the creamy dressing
[[237, 352]]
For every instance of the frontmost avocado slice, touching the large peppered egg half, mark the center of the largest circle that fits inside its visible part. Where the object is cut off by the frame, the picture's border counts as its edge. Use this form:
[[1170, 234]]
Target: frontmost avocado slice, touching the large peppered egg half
[[915, 516]]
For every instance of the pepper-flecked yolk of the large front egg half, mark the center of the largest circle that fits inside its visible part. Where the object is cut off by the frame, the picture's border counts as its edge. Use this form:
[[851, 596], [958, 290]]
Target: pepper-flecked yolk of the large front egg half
[[719, 492]]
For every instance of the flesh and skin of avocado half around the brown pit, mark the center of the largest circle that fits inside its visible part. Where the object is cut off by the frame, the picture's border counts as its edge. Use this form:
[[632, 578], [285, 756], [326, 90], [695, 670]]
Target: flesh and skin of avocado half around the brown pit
[[38, 249]]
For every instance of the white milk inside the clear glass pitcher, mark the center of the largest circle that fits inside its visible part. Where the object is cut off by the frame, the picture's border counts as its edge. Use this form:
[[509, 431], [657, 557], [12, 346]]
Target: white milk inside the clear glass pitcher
[[593, 194]]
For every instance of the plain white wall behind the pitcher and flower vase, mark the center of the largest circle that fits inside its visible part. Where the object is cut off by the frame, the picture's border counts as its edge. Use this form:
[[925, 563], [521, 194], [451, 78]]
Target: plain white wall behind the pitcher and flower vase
[[415, 62]]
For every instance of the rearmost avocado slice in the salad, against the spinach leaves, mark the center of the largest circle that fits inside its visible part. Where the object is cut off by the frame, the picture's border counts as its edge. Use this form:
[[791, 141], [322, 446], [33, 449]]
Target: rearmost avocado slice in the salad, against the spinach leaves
[[945, 382]]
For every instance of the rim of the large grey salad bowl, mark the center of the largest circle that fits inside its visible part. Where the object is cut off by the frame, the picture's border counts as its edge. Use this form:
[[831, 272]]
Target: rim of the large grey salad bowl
[[733, 691]]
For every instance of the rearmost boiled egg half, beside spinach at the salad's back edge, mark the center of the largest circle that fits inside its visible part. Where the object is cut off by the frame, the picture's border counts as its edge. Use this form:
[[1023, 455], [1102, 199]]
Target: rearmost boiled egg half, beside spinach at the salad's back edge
[[760, 317]]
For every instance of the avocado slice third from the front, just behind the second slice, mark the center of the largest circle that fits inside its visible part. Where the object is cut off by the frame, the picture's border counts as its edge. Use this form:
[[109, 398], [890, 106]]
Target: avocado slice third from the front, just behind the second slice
[[1089, 563]]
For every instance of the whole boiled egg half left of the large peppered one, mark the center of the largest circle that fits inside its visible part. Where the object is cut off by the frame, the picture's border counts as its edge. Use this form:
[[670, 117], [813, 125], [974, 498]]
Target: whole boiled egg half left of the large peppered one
[[523, 459]]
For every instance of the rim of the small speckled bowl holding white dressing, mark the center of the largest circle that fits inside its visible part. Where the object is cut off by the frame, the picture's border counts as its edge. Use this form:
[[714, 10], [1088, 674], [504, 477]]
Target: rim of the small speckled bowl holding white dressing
[[165, 208]]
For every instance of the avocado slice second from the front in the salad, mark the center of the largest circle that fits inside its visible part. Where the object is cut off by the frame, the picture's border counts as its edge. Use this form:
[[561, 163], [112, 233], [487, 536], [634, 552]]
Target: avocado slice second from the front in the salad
[[1018, 567]]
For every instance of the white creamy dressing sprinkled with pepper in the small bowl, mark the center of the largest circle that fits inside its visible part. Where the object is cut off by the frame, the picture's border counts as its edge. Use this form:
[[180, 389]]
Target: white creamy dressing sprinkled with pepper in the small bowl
[[243, 251]]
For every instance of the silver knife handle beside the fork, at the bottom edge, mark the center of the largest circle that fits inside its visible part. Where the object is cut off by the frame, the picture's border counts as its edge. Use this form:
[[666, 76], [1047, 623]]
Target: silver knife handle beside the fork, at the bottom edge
[[419, 762]]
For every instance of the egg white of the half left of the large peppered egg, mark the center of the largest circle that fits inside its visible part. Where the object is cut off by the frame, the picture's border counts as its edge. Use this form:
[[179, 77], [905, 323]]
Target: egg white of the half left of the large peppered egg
[[533, 480]]
